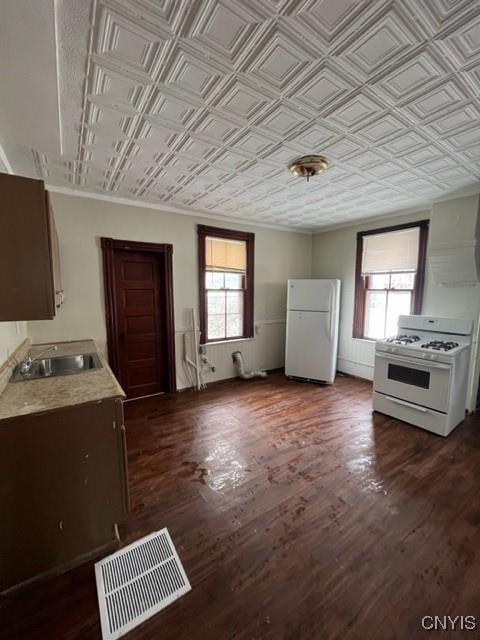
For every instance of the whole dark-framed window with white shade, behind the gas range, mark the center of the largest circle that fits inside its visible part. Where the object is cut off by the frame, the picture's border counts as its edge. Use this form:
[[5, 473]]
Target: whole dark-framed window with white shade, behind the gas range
[[389, 277]]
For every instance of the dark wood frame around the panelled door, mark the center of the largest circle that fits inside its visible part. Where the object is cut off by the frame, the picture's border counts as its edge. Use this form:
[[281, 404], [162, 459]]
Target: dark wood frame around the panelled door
[[165, 253]]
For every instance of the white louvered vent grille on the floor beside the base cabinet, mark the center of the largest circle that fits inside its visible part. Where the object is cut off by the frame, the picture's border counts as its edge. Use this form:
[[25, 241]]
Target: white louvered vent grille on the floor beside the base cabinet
[[137, 582]]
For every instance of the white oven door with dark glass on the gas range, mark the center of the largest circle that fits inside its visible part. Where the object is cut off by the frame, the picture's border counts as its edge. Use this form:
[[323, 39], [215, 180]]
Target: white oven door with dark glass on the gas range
[[418, 381]]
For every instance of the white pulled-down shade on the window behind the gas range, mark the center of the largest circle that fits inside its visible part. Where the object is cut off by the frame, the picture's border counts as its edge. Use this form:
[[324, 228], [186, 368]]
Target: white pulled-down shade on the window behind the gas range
[[391, 252]]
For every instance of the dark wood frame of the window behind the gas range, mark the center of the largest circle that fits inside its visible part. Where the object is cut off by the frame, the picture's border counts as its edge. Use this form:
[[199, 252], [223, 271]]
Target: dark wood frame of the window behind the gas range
[[361, 281]]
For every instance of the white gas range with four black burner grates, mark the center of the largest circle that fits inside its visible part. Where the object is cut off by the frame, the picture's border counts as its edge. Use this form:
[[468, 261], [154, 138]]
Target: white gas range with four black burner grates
[[421, 374]]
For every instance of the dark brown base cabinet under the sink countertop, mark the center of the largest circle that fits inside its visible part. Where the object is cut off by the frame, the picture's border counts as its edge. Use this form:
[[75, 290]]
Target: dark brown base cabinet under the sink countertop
[[63, 488]]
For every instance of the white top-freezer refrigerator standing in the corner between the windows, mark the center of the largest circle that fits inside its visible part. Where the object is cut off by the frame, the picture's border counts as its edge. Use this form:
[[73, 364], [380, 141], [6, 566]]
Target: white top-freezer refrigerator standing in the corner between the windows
[[312, 329]]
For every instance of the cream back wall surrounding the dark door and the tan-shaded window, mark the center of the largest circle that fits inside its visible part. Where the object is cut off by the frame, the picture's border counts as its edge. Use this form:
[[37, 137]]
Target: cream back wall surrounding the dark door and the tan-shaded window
[[81, 222]]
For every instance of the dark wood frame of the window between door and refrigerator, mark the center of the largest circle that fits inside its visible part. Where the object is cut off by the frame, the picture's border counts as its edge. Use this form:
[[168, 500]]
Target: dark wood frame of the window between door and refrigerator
[[227, 234]]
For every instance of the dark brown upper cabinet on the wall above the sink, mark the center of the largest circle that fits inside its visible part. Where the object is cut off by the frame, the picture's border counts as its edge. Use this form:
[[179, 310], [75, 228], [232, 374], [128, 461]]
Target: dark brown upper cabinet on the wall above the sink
[[30, 286]]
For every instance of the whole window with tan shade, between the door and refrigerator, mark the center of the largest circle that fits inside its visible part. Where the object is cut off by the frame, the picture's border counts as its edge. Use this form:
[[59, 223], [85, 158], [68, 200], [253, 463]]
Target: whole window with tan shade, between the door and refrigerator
[[226, 283]]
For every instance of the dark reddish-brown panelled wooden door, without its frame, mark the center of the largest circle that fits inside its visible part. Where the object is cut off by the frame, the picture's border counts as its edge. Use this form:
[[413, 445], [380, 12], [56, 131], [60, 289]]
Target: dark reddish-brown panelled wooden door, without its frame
[[139, 311]]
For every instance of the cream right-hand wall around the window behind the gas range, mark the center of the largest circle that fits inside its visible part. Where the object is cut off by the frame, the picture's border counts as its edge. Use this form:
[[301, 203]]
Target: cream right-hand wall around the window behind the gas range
[[334, 257]]
